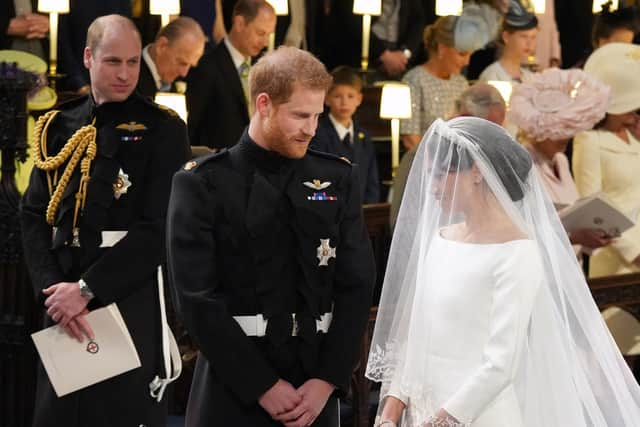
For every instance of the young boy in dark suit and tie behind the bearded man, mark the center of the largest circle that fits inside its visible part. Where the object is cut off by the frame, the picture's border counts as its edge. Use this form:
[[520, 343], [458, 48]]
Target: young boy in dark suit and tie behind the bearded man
[[338, 133]]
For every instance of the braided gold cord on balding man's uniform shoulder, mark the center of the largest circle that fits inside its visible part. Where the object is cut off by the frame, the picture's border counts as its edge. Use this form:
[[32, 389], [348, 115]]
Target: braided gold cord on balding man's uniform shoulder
[[82, 142]]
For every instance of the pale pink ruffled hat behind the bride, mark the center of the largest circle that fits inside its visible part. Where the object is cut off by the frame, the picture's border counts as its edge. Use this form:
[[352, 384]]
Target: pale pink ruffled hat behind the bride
[[557, 104]]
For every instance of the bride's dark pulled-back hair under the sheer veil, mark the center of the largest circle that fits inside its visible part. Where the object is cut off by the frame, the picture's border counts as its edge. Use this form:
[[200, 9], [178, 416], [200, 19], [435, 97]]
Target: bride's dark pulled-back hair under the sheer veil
[[510, 160]]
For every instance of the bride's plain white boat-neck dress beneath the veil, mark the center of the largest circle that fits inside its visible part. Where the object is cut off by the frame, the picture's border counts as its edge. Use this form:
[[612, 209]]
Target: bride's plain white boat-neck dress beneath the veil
[[473, 354]]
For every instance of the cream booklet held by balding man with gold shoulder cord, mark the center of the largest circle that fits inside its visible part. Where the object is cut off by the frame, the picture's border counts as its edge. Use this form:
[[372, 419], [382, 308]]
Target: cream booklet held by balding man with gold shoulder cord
[[72, 365]]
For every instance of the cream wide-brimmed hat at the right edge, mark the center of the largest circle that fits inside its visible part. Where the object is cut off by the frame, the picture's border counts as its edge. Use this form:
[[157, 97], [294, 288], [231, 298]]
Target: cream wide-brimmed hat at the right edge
[[618, 66]]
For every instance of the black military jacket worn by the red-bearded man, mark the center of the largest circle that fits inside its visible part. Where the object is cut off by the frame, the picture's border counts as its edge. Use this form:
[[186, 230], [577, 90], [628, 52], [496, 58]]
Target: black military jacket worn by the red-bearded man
[[245, 228]]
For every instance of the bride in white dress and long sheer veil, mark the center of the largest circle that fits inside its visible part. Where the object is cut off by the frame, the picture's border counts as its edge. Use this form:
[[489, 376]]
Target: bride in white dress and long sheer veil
[[485, 318]]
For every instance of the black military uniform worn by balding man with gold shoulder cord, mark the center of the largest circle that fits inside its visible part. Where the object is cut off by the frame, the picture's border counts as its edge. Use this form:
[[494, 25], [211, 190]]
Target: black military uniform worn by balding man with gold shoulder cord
[[148, 144]]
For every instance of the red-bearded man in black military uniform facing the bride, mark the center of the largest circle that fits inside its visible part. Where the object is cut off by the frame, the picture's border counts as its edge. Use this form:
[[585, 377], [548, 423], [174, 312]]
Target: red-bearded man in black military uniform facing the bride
[[272, 261]]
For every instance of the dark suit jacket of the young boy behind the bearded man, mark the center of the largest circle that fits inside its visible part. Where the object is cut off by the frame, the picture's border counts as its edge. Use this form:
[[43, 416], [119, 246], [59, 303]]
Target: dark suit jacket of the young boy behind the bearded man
[[361, 152]]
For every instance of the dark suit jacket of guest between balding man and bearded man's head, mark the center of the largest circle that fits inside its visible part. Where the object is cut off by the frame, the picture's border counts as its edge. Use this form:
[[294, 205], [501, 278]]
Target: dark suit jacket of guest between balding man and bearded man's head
[[215, 100]]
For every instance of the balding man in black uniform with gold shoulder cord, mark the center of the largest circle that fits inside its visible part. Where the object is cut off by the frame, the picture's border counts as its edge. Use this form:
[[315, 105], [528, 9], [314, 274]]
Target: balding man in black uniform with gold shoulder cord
[[93, 223]]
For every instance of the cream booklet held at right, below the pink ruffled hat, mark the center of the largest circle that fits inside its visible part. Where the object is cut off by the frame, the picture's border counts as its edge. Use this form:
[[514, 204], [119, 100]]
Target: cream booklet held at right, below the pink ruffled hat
[[596, 212]]
